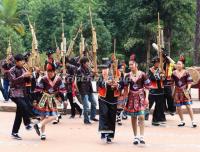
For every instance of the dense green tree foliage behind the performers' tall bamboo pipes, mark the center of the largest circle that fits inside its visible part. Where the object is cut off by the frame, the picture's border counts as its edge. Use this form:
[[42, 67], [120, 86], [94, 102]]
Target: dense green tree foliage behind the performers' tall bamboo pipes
[[131, 23]]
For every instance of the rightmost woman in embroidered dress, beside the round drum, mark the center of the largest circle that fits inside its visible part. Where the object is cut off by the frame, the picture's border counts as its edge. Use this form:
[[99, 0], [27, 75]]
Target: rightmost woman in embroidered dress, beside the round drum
[[182, 81]]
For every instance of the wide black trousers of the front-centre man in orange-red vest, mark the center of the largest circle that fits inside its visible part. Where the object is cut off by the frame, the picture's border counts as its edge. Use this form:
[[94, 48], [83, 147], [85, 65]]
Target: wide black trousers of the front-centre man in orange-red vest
[[107, 118]]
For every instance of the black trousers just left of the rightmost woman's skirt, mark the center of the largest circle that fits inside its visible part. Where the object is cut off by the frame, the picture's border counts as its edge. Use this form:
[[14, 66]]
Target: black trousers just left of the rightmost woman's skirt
[[169, 106]]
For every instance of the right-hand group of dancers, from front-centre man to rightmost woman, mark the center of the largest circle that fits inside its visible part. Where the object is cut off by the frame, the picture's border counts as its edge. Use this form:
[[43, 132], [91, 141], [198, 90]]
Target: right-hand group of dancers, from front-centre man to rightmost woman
[[137, 91]]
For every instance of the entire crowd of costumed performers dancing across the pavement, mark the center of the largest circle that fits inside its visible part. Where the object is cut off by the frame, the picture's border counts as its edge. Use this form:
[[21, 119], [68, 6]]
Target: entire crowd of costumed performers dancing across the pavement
[[122, 91]]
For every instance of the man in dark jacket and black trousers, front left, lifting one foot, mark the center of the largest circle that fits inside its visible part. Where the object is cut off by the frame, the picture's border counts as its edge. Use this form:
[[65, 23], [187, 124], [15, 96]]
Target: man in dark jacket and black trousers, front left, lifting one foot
[[17, 77]]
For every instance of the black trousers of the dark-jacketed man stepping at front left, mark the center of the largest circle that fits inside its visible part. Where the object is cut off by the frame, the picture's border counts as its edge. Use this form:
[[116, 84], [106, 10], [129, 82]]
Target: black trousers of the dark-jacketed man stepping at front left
[[22, 112]]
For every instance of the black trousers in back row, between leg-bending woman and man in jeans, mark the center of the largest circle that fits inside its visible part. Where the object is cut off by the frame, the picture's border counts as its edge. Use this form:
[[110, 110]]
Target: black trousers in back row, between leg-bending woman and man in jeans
[[74, 106]]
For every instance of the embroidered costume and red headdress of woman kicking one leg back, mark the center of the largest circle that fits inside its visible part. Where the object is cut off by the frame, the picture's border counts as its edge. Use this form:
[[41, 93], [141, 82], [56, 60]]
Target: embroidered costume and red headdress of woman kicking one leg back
[[50, 89]]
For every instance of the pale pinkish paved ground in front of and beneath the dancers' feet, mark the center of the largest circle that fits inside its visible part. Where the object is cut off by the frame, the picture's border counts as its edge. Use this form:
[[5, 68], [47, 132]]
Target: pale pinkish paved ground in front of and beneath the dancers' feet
[[72, 136]]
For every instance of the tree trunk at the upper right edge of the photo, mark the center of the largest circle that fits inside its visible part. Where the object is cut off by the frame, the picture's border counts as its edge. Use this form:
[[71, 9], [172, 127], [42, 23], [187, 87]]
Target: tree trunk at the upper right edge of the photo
[[197, 36]]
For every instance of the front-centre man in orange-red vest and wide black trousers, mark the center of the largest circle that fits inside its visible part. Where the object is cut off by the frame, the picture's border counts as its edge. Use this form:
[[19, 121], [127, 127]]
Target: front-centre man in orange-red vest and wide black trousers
[[109, 91]]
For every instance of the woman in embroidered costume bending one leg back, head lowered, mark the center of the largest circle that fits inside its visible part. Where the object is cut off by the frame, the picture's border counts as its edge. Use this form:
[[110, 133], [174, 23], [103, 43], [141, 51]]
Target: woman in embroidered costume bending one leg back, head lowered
[[51, 89]]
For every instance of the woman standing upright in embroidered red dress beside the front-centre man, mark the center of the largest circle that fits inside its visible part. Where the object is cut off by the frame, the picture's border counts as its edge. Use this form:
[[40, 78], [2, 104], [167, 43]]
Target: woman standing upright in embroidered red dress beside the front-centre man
[[134, 85]]
